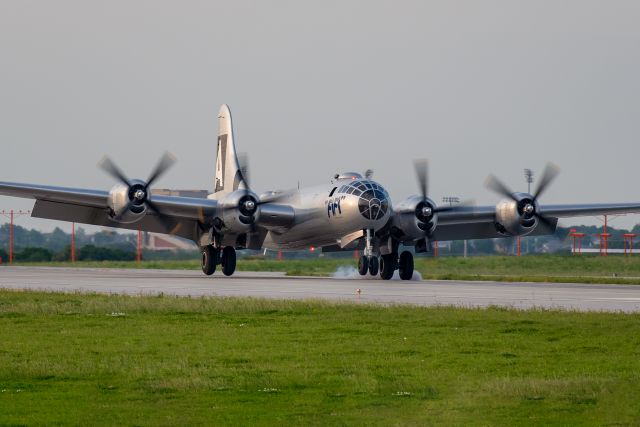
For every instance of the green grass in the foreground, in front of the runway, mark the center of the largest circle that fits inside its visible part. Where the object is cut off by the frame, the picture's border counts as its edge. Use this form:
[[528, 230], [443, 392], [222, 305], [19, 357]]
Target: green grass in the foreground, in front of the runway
[[118, 360]]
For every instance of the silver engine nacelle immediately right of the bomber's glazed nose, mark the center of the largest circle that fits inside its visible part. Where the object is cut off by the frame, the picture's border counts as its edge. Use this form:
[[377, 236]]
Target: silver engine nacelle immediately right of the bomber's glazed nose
[[415, 218]]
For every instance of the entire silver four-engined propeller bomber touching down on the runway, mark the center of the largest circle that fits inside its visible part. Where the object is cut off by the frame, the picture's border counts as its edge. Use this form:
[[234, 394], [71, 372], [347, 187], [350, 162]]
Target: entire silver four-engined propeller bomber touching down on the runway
[[350, 213]]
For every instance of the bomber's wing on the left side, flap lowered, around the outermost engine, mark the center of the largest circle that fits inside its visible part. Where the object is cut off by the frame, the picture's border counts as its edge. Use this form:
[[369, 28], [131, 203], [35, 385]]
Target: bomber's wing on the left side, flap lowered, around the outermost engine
[[91, 207]]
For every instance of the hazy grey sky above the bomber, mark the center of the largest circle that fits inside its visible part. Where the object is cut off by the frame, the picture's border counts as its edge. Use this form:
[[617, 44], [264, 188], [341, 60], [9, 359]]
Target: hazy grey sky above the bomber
[[321, 87]]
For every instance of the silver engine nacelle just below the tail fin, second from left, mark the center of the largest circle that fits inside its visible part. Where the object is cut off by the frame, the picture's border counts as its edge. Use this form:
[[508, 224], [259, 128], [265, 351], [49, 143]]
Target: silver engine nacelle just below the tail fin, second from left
[[239, 210]]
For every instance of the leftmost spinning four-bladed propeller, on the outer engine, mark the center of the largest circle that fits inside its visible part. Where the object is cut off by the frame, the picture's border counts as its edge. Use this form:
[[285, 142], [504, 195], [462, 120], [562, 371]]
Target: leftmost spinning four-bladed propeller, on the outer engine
[[139, 191]]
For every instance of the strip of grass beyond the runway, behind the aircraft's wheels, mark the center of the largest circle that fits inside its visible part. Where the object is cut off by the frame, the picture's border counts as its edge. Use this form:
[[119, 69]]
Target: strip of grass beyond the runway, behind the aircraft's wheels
[[536, 268]]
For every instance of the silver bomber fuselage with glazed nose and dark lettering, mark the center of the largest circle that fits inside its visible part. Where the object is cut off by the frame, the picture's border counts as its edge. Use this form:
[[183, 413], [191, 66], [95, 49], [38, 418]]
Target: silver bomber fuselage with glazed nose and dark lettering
[[325, 215]]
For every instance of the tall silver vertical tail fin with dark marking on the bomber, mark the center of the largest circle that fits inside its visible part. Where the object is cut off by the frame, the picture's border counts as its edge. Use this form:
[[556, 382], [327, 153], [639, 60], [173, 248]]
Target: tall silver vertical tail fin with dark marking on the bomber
[[228, 173]]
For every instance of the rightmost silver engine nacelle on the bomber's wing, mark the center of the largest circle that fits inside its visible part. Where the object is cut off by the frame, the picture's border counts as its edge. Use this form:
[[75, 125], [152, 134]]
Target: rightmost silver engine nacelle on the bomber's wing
[[516, 217]]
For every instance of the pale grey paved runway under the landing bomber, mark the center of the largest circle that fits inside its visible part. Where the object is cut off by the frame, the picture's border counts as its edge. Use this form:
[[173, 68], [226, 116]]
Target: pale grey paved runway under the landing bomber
[[277, 285]]
